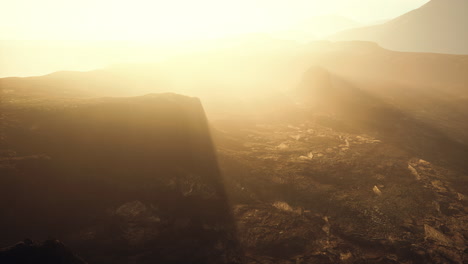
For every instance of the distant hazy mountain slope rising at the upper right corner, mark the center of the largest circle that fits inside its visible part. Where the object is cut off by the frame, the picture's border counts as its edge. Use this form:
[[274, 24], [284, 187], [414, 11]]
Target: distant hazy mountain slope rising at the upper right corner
[[440, 26]]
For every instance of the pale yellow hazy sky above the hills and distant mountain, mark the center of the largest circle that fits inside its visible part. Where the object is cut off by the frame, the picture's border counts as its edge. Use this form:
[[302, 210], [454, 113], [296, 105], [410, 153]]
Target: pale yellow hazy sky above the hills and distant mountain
[[175, 19]]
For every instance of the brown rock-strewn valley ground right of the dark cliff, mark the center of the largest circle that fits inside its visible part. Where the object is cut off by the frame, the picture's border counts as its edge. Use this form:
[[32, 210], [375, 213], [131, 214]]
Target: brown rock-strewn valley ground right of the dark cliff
[[307, 193]]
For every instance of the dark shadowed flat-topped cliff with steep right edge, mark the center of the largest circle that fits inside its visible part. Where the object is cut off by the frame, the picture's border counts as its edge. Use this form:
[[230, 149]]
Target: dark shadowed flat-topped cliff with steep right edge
[[118, 179]]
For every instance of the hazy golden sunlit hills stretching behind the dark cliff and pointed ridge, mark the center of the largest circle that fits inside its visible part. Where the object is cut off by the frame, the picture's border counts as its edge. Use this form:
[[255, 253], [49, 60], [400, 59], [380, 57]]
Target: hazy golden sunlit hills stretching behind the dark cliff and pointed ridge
[[259, 68]]
